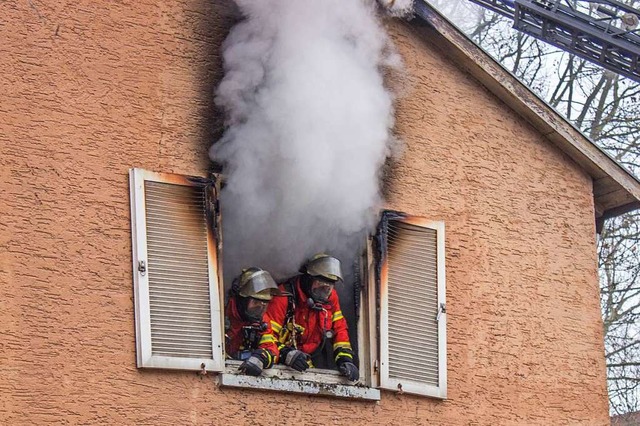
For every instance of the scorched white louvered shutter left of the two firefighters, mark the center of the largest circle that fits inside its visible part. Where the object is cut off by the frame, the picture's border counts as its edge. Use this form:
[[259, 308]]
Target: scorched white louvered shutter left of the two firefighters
[[177, 296]]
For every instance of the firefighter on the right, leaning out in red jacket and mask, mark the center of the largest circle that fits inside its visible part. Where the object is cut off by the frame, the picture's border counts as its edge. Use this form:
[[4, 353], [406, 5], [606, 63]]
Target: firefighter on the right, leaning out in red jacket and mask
[[309, 317]]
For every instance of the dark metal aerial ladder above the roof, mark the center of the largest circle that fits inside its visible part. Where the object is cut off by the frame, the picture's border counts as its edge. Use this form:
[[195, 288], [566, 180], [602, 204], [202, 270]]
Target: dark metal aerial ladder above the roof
[[605, 32]]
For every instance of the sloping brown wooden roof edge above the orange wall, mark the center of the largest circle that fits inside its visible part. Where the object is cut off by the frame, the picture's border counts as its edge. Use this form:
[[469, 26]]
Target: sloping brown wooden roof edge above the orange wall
[[615, 188]]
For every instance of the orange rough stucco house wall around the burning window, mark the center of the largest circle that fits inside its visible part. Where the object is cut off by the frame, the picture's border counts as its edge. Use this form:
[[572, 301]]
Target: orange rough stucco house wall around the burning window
[[90, 89]]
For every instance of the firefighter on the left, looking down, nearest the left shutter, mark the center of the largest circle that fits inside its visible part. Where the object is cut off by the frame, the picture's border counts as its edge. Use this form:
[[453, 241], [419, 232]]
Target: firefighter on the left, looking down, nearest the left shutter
[[245, 337]]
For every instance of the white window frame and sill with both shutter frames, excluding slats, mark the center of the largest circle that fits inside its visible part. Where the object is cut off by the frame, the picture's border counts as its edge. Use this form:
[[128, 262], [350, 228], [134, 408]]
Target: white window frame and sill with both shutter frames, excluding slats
[[372, 327]]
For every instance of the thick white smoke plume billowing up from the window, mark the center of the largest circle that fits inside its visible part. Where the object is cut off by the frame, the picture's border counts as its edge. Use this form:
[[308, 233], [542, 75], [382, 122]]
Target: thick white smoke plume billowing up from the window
[[308, 127]]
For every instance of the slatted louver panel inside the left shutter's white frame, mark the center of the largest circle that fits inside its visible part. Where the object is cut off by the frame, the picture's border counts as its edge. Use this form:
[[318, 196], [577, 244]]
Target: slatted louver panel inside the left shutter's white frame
[[178, 271]]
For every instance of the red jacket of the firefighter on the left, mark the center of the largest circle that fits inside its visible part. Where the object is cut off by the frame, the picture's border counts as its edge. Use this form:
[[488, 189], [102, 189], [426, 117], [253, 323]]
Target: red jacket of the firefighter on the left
[[235, 335]]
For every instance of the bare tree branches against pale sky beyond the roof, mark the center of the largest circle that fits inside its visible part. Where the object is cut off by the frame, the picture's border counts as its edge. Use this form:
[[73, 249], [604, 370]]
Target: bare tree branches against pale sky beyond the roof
[[606, 107]]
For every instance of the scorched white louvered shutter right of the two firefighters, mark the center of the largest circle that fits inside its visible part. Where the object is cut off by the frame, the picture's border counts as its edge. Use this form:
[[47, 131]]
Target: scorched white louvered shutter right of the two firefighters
[[412, 308]]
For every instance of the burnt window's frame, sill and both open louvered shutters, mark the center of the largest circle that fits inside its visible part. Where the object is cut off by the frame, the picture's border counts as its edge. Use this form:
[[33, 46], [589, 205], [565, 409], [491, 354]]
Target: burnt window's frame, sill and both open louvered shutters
[[179, 293]]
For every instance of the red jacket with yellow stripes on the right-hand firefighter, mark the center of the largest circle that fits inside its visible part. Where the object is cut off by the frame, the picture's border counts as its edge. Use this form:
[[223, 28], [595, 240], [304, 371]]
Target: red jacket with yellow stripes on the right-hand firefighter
[[313, 323]]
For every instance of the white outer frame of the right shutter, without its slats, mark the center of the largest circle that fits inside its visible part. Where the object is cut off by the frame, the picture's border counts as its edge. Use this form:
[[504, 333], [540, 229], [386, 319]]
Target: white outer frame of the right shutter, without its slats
[[409, 386]]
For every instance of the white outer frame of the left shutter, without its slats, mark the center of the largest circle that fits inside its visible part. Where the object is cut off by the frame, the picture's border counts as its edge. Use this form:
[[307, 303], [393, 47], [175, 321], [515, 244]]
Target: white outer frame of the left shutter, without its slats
[[144, 357]]
